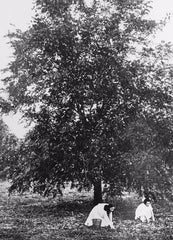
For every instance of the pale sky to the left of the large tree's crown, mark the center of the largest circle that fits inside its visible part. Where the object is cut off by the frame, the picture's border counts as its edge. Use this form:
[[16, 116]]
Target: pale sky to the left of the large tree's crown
[[13, 14]]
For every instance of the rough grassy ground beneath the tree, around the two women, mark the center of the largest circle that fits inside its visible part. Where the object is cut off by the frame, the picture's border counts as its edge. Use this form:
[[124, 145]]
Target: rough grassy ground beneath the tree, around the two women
[[30, 217]]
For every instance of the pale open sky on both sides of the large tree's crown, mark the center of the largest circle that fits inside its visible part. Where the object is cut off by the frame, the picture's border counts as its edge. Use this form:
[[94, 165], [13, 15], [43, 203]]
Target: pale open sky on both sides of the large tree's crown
[[18, 14]]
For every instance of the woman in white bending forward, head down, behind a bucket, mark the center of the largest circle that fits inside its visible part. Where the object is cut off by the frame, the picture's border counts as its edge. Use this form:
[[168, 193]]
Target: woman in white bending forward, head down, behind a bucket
[[102, 211]]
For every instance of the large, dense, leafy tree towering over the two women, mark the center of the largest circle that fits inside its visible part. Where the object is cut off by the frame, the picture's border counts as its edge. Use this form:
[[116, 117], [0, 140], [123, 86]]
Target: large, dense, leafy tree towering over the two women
[[83, 74]]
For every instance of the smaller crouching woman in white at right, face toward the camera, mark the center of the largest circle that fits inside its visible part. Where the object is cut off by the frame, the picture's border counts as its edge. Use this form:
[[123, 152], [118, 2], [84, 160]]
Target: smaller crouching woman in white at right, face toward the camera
[[144, 211]]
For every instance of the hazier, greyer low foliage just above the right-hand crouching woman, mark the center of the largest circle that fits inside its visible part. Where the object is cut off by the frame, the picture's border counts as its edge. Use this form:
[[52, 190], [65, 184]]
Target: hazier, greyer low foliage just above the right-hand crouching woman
[[150, 171]]
